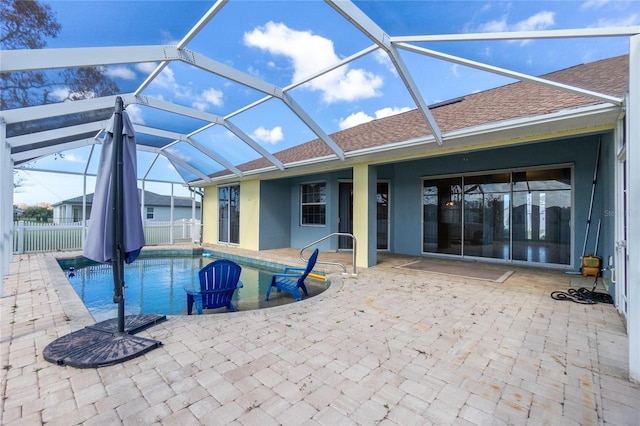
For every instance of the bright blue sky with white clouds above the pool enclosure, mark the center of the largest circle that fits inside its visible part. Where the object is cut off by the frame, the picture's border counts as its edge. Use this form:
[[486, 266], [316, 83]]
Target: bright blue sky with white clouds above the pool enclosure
[[281, 42]]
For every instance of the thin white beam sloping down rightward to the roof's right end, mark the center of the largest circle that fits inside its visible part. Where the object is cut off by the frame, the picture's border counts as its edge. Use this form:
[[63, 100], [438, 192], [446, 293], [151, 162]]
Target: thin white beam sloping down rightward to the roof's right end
[[512, 74]]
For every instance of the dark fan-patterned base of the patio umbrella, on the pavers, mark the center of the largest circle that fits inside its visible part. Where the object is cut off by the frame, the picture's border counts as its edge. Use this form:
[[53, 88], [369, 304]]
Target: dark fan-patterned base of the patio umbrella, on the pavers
[[101, 345]]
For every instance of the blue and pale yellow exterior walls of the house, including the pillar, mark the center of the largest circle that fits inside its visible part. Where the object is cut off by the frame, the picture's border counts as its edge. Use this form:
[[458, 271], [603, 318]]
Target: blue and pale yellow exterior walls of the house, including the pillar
[[274, 221]]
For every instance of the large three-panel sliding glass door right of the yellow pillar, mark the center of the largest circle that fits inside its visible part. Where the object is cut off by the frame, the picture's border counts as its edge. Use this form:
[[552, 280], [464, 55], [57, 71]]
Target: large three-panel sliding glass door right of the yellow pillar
[[511, 216]]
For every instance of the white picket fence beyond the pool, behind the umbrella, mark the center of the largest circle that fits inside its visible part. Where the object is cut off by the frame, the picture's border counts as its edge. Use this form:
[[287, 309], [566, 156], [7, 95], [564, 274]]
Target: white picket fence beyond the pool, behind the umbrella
[[31, 237]]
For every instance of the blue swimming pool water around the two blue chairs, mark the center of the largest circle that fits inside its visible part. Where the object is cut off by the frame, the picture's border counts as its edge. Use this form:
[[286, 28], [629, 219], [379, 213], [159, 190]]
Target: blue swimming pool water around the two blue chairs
[[156, 286]]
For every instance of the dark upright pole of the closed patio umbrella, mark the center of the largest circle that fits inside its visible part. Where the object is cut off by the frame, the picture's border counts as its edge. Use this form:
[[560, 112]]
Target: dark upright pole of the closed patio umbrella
[[117, 199]]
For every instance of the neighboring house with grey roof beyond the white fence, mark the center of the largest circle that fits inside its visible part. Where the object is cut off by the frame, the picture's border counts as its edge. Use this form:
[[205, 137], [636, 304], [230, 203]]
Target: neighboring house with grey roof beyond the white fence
[[156, 207]]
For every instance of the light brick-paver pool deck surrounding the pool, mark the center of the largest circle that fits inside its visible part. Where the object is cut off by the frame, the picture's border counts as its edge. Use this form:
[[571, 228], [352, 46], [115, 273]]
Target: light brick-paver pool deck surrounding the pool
[[389, 346]]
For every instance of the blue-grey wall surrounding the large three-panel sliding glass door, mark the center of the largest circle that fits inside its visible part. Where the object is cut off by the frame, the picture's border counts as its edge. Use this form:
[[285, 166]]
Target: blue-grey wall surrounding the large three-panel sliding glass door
[[578, 152]]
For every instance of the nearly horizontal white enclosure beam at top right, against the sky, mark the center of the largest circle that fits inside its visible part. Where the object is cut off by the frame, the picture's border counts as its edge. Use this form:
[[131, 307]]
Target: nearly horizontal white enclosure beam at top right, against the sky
[[523, 35]]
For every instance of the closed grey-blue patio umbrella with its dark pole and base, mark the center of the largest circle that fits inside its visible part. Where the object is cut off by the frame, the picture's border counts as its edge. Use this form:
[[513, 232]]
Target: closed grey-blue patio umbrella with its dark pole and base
[[115, 236]]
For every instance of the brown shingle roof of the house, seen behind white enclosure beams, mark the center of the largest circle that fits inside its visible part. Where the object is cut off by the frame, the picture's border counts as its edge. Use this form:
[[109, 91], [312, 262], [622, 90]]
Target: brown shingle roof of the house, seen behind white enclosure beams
[[520, 99]]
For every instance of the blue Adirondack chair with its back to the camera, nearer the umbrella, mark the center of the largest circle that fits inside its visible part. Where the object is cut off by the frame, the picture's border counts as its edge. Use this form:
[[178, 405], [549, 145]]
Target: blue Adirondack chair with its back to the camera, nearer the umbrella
[[219, 281]]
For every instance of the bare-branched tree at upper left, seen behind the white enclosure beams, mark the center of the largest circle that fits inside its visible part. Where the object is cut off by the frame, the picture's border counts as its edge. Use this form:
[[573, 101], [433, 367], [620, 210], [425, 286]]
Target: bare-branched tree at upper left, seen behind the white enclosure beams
[[27, 24]]
